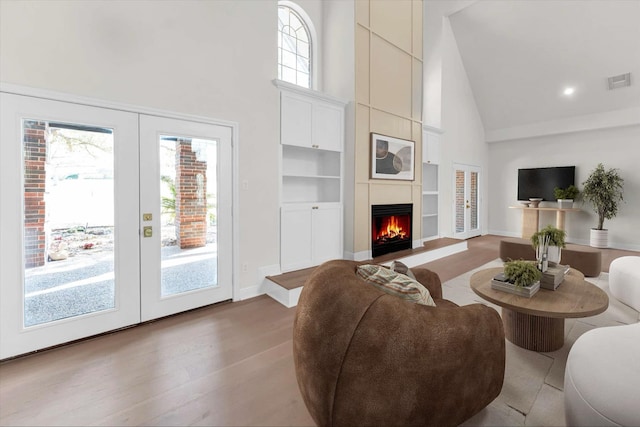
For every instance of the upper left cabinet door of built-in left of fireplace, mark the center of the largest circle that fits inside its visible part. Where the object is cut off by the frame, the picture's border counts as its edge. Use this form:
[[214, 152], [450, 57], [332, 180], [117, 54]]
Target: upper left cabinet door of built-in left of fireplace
[[295, 120]]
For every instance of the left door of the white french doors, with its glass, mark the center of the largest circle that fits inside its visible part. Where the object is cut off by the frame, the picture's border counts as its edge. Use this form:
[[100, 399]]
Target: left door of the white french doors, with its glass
[[69, 266]]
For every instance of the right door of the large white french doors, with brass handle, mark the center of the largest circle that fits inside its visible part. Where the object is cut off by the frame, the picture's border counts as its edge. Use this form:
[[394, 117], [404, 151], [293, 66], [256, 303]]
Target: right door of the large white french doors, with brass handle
[[186, 202]]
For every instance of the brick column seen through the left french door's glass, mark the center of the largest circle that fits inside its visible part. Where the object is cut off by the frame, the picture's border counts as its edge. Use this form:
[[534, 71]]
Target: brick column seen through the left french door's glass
[[35, 156]]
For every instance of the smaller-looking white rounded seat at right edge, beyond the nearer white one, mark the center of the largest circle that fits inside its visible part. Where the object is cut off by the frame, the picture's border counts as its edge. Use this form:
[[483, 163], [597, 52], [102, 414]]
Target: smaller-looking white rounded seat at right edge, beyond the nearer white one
[[624, 281]]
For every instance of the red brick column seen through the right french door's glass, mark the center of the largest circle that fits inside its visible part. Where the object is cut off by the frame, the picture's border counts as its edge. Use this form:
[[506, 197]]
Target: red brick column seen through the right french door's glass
[[191, 197]]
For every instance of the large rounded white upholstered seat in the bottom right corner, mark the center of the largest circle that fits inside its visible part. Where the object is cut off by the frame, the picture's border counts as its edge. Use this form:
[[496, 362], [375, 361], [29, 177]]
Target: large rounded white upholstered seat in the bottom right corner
[[602, 378]]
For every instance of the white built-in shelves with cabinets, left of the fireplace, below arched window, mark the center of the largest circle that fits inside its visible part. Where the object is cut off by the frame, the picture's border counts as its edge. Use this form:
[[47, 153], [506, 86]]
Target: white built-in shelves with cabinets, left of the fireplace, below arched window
[[311, 137]]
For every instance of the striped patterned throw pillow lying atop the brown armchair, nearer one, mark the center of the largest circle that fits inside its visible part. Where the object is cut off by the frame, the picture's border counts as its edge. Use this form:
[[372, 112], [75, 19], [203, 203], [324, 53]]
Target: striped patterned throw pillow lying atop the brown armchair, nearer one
[[396, 284]]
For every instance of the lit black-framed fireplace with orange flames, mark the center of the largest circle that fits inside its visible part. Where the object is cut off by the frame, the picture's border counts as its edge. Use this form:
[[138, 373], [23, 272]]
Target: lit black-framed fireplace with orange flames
[[390, 228]]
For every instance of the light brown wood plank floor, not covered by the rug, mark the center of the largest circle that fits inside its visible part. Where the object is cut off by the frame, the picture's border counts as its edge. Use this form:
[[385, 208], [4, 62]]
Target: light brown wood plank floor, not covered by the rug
[[228, 364]]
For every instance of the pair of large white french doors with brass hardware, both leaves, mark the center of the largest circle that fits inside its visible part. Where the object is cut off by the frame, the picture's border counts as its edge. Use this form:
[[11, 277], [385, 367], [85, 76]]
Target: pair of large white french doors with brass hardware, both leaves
[[108, 218]]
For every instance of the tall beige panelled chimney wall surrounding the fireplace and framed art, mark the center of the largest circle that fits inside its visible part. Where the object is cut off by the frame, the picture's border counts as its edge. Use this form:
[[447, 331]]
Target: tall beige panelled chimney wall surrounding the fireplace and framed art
[[388, 83]]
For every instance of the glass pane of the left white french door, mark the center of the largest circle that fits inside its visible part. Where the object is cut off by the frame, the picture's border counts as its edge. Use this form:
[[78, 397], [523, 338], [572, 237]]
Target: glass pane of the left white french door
[[68, 220]]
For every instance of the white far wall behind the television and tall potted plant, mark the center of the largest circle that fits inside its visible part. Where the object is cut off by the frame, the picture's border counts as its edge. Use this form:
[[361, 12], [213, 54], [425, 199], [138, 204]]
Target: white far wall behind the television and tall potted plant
[[613, 147]]
